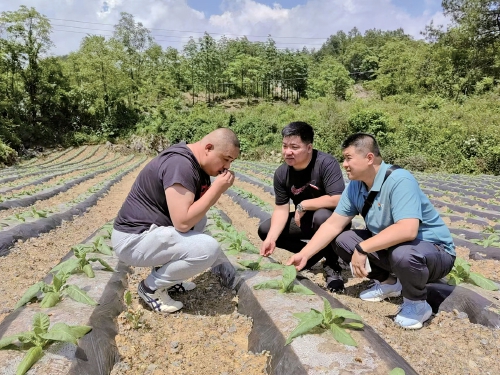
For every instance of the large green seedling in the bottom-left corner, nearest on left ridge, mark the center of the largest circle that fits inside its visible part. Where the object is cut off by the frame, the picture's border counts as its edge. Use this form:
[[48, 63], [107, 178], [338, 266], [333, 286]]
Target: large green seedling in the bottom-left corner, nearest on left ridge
[[39, 337]]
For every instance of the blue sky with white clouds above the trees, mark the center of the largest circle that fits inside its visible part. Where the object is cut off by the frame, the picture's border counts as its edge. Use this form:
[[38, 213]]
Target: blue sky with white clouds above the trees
[[291, 23]]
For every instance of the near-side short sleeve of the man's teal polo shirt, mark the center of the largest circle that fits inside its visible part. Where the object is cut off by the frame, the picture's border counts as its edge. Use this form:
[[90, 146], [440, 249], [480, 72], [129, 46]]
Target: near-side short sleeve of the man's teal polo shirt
[[406, 200]]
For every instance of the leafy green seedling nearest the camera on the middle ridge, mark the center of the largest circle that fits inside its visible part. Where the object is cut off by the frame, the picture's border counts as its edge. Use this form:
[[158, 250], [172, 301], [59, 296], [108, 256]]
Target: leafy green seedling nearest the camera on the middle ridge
[[329, 318]]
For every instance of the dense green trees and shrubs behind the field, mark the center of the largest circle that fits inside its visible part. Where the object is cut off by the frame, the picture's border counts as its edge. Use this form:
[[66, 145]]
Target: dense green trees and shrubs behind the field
[[432, 103]]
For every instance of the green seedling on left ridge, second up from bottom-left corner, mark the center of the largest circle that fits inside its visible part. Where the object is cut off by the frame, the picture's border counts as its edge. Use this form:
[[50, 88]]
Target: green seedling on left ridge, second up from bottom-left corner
[[55, 291]]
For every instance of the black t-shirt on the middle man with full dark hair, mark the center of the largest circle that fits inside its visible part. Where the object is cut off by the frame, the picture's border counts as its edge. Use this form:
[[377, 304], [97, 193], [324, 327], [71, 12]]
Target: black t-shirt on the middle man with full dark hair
[[321, 177]]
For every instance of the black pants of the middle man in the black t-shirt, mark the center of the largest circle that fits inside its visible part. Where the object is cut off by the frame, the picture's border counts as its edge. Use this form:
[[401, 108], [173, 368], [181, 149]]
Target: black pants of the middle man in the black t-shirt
[[291, 236]]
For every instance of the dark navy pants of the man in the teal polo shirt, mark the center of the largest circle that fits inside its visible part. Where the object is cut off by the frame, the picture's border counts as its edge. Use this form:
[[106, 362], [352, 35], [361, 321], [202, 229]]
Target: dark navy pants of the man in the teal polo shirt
[[414, 263]]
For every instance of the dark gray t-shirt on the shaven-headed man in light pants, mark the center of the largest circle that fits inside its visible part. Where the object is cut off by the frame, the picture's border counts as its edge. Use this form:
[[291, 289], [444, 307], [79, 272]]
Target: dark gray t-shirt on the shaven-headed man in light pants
[[146, 203]]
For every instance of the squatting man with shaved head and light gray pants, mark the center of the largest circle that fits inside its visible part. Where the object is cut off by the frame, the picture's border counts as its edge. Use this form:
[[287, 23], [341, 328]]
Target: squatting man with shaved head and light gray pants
[[160, 224]]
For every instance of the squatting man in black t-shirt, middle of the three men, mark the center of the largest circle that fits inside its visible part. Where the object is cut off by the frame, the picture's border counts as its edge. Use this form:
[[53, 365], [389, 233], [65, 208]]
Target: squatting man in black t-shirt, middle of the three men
[[313, 181]]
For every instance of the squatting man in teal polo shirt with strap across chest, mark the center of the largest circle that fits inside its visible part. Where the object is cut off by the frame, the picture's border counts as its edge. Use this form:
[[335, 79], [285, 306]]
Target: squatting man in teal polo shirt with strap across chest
[[405, 240]]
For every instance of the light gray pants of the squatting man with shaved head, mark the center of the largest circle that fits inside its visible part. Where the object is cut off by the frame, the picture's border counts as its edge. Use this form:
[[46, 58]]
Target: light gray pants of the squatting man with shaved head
[[173, 256]]
